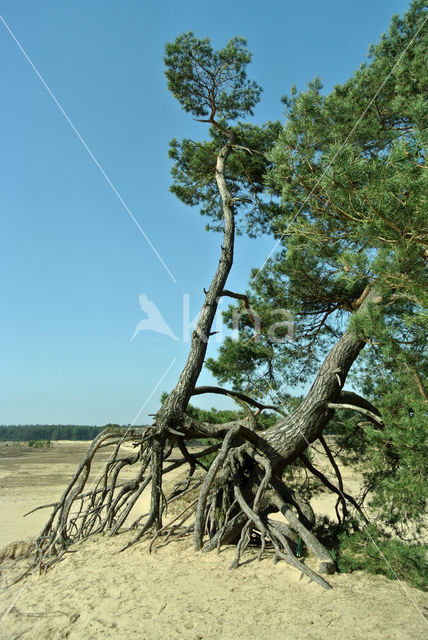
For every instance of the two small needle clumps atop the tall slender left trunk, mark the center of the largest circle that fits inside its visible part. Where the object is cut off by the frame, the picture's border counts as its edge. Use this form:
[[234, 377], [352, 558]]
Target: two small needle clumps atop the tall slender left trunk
[[213, 86]]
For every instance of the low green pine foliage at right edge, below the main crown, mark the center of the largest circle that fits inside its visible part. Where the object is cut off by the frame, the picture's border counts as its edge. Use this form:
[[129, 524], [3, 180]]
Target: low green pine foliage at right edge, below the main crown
[[396, 464]]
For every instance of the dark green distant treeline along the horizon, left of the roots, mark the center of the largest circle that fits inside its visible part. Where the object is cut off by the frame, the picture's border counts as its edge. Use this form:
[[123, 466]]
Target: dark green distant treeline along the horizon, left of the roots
[[23, 433]]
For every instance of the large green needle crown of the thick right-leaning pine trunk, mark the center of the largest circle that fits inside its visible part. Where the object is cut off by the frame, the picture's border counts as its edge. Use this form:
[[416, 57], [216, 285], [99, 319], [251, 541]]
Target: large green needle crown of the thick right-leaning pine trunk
[[350, 169]]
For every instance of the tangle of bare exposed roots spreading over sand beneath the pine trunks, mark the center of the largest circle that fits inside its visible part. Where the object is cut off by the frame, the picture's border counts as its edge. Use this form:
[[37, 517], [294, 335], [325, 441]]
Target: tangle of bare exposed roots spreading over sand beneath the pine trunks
[[227, 503]]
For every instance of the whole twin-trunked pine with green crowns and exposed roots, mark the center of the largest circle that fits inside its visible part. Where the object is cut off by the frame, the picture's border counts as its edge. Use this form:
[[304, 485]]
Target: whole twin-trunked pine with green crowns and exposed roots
[[341, 186]]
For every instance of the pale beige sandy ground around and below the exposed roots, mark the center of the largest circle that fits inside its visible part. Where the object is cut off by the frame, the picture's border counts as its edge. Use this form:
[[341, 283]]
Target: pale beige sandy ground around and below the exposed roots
[[175, 593]]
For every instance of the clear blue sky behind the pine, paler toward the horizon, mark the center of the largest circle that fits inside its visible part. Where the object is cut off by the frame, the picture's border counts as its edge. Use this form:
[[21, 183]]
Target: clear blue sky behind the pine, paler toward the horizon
[[72, 261]]
